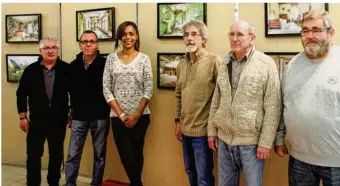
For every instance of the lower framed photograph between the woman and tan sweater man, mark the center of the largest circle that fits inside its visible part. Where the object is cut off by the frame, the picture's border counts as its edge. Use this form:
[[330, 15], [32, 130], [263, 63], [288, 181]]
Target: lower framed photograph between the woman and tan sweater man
[[166, 69]]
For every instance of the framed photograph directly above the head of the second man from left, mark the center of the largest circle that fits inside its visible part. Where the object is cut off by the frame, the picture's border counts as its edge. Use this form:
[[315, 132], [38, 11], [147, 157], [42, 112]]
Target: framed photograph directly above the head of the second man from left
[[101, 21]]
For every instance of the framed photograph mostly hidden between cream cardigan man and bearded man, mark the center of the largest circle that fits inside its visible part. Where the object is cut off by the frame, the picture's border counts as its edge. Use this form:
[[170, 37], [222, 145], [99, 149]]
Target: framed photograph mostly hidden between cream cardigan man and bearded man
[[281, 59]]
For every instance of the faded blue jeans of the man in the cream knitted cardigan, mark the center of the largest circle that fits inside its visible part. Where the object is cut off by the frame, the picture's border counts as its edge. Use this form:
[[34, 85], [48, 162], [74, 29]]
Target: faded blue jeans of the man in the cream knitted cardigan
[[233, 159]]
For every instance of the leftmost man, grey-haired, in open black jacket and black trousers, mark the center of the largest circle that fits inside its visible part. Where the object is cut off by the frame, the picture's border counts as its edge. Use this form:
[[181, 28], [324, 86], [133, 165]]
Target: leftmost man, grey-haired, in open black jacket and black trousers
[[44, 83]]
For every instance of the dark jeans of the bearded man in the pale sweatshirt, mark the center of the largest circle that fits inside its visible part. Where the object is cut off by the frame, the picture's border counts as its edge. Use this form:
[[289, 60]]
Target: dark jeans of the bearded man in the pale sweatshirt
[[305, 174]]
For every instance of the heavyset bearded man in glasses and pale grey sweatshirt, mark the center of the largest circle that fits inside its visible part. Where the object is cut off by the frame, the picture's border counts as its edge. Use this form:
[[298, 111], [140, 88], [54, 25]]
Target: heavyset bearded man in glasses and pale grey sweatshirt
[[311, 106]]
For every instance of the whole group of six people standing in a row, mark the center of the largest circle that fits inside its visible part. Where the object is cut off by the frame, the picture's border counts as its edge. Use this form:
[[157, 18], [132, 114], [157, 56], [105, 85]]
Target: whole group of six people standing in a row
[[235, 106]]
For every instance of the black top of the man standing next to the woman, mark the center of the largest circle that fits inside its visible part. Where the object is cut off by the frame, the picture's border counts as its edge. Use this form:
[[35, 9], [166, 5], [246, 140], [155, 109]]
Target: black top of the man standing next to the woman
[[86, 89]]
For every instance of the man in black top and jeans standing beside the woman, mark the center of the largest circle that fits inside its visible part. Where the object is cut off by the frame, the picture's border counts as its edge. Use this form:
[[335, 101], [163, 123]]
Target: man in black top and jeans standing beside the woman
[[89, 109]]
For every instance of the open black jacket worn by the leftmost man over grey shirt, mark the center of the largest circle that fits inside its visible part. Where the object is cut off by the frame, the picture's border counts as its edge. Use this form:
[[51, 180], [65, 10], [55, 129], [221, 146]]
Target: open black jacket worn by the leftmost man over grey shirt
[[32, 85]]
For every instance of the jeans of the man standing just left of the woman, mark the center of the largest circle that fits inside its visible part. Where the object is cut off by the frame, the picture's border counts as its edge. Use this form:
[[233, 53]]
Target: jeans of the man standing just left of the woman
[[99, 131]]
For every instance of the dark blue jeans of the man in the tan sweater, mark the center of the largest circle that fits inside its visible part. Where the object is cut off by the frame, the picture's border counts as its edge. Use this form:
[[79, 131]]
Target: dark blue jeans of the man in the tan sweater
[[198, 161]]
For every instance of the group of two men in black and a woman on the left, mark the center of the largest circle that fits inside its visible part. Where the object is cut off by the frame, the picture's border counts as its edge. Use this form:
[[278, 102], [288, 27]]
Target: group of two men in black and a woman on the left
[[93, 85]]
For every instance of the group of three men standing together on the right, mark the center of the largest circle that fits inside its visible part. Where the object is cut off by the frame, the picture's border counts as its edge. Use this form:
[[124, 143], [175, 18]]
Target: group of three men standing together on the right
[[238, 107]]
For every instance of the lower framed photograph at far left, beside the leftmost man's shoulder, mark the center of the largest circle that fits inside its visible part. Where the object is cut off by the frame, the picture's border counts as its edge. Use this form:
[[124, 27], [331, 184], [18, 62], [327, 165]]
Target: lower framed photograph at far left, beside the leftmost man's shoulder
[[16, 64]]
